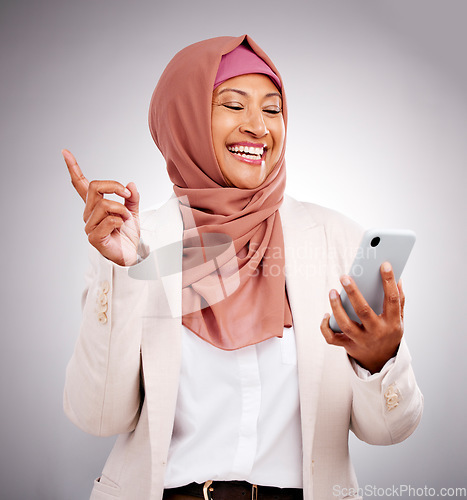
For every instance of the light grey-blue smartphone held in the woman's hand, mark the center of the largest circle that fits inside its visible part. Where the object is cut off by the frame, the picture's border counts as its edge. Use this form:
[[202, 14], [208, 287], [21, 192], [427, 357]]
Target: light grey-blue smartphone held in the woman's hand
[[377, 246]]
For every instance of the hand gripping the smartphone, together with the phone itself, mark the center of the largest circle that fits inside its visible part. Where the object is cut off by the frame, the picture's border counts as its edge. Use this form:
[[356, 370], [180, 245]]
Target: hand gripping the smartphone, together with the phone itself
[[370, 310]]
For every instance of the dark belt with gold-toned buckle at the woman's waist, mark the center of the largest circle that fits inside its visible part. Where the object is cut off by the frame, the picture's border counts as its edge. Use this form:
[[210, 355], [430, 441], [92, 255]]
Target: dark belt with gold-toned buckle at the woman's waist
[[234, 490]]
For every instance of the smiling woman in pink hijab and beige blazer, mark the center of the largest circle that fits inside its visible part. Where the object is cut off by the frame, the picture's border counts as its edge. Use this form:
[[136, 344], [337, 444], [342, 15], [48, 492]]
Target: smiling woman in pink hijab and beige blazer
[[217, 378]]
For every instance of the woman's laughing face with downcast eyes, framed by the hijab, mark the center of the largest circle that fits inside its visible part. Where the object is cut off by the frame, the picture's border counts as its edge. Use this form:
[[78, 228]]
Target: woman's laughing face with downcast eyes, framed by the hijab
[[248, 131]]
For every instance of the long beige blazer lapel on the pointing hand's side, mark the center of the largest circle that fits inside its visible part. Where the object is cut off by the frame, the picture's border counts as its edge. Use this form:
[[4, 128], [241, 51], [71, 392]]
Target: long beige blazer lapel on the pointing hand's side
[[162, 329]]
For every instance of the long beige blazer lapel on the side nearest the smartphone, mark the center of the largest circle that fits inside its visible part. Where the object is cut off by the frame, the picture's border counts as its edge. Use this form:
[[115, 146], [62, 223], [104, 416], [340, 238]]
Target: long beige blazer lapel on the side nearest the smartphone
[[306, 262]]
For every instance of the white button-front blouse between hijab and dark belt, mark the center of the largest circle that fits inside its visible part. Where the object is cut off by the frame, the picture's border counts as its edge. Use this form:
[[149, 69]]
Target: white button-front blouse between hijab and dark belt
[[238, 414]]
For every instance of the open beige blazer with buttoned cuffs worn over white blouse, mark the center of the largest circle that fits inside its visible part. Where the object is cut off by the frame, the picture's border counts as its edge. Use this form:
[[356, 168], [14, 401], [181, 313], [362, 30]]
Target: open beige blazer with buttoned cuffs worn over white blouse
[[123, 375]]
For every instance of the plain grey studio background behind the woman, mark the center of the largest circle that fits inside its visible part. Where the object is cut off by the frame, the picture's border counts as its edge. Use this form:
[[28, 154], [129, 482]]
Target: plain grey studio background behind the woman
[[378, 122]]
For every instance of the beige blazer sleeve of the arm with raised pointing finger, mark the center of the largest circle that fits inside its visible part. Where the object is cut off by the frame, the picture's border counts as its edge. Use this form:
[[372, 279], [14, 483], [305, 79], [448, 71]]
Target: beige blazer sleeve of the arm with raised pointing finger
[[103, 393]]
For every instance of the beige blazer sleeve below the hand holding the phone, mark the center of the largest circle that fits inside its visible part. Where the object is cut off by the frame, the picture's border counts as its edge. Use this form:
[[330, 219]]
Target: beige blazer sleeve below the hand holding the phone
[[387, 406]]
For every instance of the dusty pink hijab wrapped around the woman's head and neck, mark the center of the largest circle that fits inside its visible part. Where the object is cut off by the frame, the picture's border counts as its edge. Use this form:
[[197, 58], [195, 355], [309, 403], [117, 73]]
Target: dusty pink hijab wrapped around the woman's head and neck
[[238, 297]]
